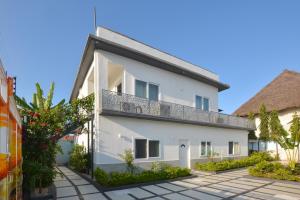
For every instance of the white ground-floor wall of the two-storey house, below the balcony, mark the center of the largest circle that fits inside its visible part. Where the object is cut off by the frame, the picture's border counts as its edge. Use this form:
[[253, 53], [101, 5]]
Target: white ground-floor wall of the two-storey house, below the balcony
[[118, 133]]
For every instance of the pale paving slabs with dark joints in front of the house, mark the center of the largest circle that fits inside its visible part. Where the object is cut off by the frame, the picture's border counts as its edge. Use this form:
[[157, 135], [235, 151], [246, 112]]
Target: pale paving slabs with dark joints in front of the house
[[230, 185]]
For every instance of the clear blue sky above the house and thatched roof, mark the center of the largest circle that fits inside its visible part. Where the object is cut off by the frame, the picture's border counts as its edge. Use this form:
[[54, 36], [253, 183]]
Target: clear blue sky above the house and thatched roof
[[247, 43]]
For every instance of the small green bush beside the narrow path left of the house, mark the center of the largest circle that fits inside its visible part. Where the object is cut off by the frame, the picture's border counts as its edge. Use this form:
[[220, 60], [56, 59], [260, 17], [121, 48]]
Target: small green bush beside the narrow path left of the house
[[78, 158]]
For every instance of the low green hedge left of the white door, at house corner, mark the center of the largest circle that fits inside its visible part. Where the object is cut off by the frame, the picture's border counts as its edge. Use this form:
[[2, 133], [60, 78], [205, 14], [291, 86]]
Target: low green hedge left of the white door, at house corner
[[126, 178]]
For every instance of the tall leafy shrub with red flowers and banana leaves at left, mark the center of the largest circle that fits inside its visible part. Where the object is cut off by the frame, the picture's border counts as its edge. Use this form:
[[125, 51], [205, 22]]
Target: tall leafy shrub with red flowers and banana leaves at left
[[43, 125]]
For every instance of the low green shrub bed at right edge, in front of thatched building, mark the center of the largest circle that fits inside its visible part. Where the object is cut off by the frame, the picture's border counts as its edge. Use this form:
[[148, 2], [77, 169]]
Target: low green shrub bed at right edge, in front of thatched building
[[273, 170]]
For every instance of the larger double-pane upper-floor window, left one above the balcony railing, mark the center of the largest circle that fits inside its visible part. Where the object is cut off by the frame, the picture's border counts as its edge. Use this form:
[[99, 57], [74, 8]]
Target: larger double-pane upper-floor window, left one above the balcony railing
[[146, 90]]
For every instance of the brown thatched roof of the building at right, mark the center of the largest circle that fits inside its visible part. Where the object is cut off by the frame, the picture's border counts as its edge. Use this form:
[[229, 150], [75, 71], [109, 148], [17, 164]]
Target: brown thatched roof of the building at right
[[280, 94]]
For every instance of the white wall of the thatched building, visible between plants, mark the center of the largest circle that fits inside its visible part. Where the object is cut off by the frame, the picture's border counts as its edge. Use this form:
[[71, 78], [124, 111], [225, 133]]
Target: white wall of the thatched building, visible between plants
[[285, 118]]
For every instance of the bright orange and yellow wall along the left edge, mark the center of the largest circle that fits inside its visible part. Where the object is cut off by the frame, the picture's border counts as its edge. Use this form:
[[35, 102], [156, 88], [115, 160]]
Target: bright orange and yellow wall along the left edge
[[10, 141]]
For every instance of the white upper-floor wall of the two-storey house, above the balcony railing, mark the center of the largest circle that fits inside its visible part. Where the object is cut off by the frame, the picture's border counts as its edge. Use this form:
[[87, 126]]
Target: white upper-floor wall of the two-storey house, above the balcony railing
[[172, 87]]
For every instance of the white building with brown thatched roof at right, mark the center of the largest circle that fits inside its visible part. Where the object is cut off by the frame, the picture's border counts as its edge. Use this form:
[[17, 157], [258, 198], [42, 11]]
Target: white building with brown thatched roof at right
[[283, 95]]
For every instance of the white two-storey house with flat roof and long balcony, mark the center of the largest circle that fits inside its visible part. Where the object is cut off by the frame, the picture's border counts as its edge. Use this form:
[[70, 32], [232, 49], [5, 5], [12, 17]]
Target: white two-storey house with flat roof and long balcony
[[161, 107]]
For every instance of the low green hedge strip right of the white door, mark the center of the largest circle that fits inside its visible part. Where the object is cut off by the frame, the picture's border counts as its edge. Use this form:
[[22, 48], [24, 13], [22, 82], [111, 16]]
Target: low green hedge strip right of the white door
[[255, 158]]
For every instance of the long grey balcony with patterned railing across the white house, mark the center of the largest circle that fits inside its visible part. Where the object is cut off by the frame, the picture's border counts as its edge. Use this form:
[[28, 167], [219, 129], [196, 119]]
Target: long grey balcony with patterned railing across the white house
[[114, 103]]
